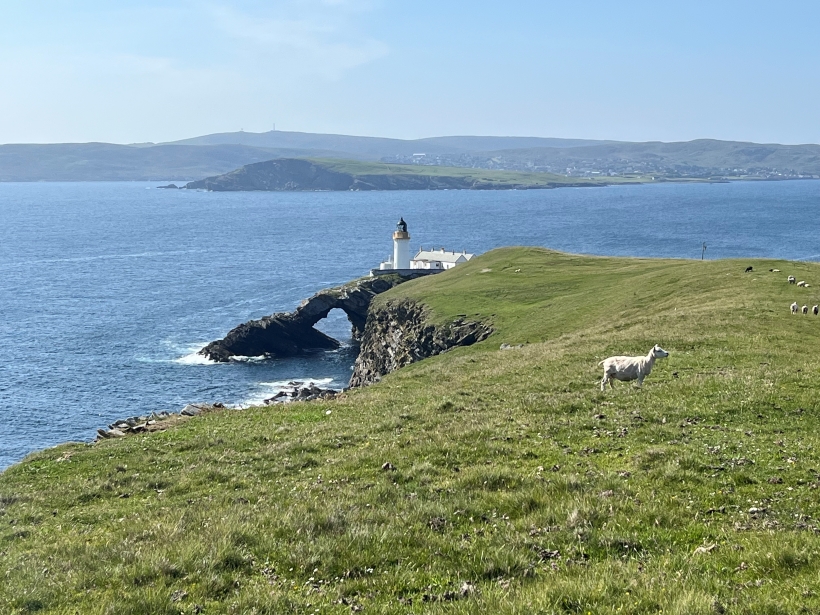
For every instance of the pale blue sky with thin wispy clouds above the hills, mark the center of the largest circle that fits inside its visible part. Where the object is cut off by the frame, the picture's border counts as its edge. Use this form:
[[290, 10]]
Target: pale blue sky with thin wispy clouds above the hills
[[152, 71]]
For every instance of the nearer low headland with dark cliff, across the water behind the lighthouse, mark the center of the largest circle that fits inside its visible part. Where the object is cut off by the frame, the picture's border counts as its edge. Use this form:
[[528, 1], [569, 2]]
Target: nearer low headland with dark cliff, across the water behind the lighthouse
[[291, 174]]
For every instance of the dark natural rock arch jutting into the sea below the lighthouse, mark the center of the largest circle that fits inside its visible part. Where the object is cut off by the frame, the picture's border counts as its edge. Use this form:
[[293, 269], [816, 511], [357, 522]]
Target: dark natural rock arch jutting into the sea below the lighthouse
[[286, 334]]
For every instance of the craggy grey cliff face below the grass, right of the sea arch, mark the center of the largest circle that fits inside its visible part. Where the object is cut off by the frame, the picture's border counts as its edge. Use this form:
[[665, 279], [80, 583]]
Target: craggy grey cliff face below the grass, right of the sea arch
[[398, 334]]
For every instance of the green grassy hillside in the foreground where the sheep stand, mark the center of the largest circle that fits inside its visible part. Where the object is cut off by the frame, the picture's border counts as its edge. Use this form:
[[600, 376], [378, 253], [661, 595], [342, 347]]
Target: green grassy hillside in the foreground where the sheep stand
[[514, 484]]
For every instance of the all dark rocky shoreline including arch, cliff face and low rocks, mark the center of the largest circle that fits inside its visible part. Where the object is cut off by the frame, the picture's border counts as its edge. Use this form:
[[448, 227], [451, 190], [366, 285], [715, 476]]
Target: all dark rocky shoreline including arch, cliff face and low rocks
[[392, 334]]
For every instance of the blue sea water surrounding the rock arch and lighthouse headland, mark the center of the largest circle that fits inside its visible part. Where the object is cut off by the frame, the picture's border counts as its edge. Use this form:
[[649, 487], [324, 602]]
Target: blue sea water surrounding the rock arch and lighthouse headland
[[106, 289]]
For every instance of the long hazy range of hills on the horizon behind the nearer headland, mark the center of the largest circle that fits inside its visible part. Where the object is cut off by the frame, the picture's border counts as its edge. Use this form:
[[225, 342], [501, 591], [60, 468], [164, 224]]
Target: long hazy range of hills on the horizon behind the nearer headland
[[580, 159]]
